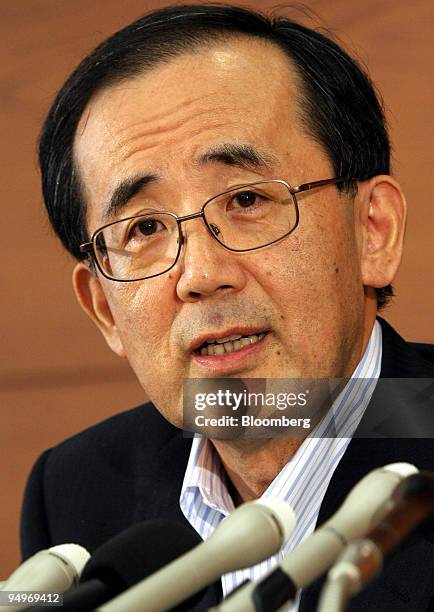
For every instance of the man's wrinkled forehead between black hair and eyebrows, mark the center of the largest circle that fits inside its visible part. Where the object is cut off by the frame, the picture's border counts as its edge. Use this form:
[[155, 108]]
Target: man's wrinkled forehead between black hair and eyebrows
[[239, 91]]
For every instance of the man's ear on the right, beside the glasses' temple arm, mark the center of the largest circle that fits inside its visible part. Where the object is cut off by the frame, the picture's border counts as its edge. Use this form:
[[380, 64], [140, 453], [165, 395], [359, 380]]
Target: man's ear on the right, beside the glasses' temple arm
[[383, 215]]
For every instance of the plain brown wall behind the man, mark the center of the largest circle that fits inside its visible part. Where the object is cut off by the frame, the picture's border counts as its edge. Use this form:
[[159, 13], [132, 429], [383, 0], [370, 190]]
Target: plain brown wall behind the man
[[57, 376]]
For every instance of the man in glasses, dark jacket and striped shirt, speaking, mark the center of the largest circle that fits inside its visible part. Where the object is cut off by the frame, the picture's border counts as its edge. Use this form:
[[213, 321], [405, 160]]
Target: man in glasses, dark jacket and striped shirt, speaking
[[223, 180]]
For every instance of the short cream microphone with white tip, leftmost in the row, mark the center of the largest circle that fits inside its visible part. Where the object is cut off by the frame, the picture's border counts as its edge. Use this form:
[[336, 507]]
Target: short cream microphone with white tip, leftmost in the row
[[55, 569]]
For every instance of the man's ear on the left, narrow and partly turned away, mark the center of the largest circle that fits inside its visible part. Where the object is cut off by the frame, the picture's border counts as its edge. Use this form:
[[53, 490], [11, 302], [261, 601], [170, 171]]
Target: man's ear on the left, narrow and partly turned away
[[92, 299]]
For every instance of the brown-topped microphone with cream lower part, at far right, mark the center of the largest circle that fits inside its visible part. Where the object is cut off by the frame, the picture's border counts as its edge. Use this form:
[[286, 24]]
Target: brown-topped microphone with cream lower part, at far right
[[363, 559]]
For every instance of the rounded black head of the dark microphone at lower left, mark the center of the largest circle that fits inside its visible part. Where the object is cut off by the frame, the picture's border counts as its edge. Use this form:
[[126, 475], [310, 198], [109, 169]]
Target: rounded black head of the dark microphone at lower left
[[139, 551]]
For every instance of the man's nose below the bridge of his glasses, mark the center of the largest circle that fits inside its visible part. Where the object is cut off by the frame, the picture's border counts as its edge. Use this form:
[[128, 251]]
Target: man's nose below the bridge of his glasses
[[206, 268]]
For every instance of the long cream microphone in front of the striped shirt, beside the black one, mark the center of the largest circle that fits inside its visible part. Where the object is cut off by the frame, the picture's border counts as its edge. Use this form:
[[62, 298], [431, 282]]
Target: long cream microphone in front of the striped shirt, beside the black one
[[253, 532]]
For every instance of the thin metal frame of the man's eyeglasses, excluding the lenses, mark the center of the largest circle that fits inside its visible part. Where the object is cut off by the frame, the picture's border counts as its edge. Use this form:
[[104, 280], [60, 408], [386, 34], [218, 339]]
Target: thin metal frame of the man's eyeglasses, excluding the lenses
[[89, 248]]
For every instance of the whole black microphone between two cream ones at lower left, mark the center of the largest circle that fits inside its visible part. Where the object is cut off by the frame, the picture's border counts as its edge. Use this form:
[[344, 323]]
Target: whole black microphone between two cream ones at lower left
[[127, 558]]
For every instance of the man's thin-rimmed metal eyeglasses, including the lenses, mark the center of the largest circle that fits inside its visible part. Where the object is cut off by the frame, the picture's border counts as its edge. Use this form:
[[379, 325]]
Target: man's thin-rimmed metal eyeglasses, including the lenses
[[244, 218]]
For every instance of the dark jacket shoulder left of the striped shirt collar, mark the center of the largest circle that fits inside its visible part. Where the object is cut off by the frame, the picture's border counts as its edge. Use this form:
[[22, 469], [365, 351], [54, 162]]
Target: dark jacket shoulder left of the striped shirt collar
[[126, 469]]
